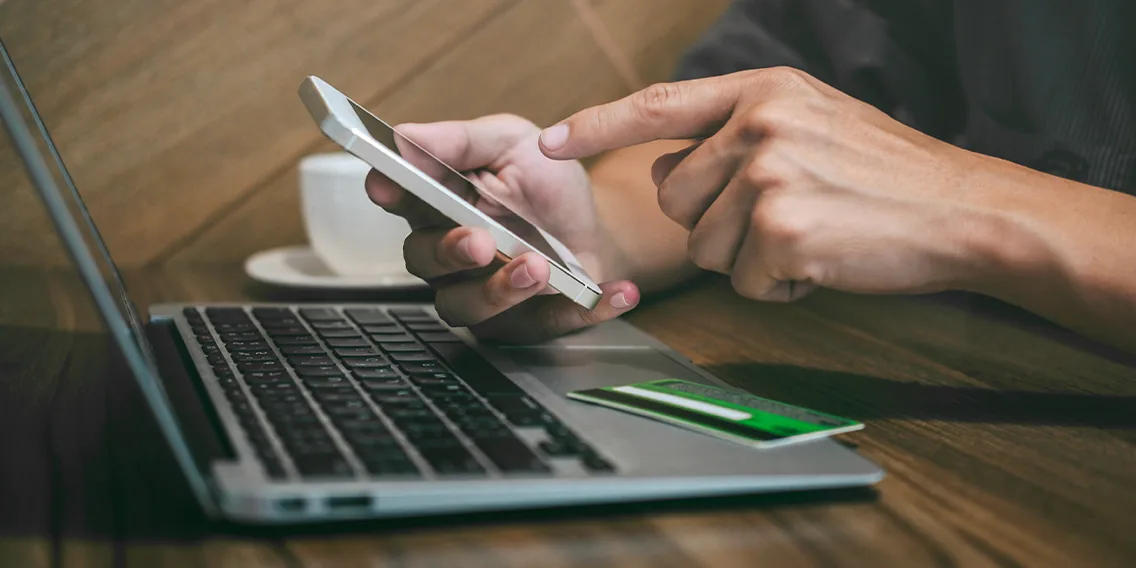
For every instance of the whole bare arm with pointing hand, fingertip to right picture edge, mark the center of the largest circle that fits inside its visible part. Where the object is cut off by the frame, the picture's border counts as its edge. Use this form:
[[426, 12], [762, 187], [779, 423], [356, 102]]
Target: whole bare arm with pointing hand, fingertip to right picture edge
[[799, 186]]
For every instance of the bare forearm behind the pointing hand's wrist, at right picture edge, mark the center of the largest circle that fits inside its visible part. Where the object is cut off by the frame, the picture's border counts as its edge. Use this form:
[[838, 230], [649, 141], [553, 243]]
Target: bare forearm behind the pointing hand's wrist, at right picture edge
[[1064, 250]]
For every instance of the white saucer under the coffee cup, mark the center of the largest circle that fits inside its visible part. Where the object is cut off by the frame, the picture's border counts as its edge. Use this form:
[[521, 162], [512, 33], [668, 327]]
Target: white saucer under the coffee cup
[[300, 268]]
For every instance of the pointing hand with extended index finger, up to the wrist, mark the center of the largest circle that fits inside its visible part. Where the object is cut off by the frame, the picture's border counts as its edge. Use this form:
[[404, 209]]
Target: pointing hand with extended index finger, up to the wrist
[[795, 186]]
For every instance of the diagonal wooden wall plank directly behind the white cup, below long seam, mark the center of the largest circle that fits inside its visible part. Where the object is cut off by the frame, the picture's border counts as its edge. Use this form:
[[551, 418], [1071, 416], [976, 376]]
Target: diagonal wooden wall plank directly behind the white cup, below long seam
[[537, 60]]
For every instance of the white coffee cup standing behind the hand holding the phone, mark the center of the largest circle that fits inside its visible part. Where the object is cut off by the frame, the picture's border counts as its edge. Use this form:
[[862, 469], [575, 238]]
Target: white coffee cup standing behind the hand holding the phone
[[348, 232]]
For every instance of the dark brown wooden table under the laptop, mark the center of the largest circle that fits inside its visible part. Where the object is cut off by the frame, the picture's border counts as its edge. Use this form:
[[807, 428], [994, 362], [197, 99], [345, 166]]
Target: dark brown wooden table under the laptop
[[1007, 444]]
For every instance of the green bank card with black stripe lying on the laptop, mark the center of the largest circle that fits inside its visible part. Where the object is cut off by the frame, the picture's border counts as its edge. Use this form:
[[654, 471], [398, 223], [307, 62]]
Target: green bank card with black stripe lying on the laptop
[[721, 413]]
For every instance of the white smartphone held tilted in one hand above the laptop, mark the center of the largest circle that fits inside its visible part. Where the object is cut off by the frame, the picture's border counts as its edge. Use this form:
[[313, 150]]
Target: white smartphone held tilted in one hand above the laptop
[[446, 190]]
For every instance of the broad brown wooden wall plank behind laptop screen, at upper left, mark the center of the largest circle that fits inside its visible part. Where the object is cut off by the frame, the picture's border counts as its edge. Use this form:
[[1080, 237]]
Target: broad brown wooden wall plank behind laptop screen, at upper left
[[170, 112]]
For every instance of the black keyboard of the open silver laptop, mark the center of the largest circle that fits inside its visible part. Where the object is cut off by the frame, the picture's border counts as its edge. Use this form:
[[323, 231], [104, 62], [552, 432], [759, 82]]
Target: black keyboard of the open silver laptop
[[402, 395]]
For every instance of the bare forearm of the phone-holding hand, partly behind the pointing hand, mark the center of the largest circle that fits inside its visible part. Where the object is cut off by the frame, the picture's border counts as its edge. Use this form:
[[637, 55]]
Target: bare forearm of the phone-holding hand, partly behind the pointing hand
[[648, 248]]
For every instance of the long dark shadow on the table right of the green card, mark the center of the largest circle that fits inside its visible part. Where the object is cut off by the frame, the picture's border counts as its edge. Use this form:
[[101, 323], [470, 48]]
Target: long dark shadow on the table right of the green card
[[866, 398]]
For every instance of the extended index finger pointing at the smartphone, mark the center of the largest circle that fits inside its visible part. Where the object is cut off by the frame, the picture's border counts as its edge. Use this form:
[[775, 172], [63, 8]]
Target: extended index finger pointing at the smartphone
[[662, 112]]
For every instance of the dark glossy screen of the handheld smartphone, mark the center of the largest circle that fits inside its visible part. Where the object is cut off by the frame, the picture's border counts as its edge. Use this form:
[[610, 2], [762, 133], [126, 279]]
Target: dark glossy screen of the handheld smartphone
[[455, 182]]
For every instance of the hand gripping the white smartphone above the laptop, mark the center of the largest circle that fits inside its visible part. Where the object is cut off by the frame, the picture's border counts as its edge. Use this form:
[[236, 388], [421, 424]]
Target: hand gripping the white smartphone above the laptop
[[509, 303]]
